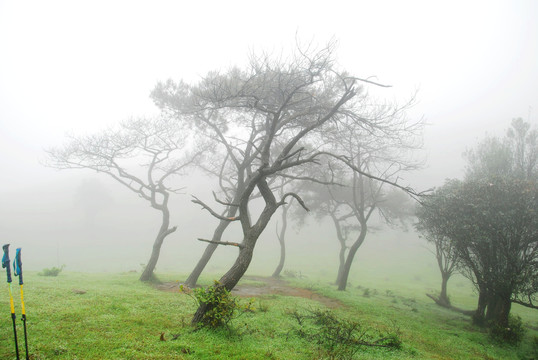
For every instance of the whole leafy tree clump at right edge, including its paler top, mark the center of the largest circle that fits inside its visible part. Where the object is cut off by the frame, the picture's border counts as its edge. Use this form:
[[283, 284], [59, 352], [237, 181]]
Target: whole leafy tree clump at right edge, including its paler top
[[487, 224]]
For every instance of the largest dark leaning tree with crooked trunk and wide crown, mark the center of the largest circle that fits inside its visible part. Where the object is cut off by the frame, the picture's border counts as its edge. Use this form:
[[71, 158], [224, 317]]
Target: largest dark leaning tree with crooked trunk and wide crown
[[269, 119]]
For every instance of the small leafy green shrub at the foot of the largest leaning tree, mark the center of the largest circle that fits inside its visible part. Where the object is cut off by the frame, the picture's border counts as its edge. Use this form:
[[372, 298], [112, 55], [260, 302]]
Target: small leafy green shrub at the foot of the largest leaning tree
[[222, 306]]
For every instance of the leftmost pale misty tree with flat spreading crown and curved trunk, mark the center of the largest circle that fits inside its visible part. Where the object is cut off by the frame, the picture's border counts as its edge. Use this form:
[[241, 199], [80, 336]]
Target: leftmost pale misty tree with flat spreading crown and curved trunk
[[142, 155]]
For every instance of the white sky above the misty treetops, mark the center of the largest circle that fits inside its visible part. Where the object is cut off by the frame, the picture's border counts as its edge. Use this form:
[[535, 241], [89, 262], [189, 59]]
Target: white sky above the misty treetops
[[84, 65]]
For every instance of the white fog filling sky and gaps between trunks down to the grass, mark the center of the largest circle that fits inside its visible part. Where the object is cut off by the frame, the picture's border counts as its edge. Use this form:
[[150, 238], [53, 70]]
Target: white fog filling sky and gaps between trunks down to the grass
[[74, 67]]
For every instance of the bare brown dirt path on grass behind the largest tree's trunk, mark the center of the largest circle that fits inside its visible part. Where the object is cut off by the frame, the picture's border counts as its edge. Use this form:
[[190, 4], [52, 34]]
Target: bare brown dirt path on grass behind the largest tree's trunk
[[268, 286]]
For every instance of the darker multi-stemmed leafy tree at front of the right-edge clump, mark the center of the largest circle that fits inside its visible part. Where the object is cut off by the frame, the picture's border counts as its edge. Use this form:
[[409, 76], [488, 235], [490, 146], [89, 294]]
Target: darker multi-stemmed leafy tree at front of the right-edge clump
[[497, 242]]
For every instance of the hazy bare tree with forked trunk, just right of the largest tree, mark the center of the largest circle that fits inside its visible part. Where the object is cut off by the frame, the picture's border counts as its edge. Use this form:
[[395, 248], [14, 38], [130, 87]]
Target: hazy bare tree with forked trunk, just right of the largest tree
[[372, 162]]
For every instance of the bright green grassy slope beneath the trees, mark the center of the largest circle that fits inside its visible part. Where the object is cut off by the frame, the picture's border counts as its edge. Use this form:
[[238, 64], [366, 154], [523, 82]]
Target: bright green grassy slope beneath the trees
[[120, 318]]
